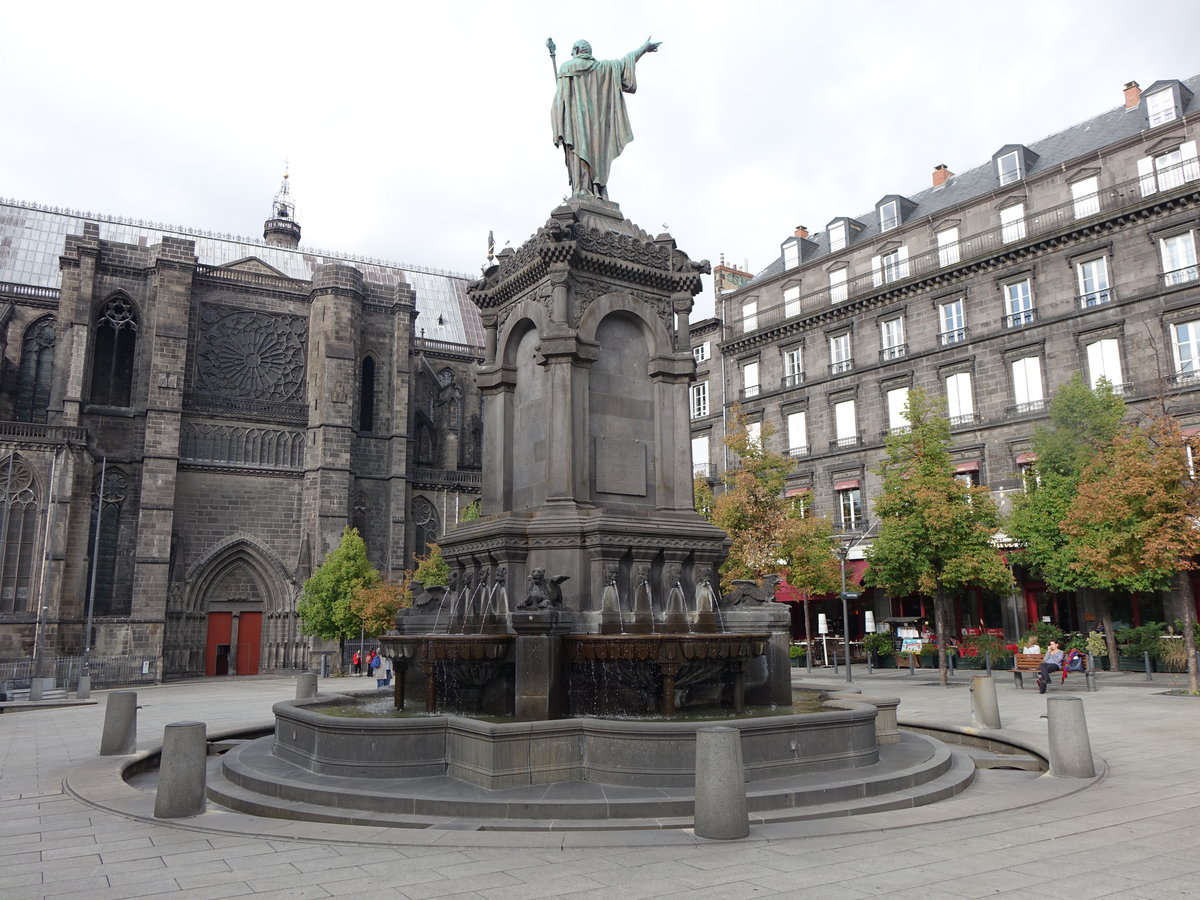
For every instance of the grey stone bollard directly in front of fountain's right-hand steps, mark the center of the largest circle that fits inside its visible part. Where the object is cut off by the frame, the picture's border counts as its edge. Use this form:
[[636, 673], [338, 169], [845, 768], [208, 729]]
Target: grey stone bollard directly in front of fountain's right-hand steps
[[721, 784]]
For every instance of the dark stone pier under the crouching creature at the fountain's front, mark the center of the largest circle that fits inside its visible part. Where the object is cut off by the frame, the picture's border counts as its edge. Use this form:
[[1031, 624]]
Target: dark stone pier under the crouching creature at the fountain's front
[[539, 663]]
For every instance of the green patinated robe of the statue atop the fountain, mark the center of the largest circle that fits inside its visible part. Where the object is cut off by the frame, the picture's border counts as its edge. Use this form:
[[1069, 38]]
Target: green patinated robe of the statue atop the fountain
[[590, 116]]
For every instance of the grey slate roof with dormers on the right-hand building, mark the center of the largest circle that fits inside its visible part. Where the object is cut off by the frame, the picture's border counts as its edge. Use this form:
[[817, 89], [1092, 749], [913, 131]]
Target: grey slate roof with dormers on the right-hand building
[[1053, 152]]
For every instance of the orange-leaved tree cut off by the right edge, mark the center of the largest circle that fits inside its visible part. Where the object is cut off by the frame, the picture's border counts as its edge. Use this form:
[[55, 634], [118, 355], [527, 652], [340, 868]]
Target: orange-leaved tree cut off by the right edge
[[1135, 519]]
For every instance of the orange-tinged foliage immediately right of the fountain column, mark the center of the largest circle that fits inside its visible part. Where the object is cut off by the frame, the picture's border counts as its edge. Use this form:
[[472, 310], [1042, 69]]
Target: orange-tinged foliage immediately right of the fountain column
[[770, 533]]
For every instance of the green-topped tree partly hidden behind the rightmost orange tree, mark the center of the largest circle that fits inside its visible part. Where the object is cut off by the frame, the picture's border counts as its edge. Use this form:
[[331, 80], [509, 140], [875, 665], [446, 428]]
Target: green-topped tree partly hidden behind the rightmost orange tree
[[1083, 424]]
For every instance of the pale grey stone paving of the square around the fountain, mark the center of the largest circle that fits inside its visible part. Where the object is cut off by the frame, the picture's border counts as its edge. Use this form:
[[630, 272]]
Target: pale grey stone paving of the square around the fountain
[[1135, 835]]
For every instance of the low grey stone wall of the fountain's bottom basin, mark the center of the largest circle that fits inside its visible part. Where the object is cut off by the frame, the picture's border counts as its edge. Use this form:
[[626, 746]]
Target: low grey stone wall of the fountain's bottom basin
[[499, 755]]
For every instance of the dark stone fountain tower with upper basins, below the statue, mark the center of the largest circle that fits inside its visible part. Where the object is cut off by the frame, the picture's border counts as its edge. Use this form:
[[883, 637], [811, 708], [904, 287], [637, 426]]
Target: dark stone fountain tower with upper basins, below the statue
[[587, 521]]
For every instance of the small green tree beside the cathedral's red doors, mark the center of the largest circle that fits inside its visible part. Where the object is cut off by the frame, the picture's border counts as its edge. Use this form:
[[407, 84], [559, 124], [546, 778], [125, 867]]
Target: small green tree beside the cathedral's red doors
[[326, 602]]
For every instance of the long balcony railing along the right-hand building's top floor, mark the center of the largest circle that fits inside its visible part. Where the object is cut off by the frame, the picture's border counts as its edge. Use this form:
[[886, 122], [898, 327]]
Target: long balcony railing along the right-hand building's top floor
[[1112, 201]]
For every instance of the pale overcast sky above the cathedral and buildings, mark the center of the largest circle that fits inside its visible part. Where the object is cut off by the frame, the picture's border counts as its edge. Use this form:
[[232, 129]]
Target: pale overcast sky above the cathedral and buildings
[[411, 130]]
